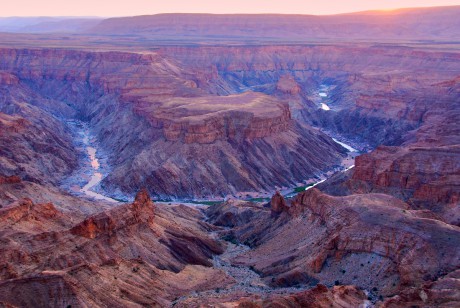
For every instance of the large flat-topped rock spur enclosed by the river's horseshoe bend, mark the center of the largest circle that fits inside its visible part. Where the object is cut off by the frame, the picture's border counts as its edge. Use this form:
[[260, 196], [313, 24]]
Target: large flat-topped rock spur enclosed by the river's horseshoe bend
[[168, 132]]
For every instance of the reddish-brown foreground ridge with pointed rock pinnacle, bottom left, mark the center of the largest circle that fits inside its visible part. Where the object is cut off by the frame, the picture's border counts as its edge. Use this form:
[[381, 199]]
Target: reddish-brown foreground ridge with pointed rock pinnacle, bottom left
[[123, 256]]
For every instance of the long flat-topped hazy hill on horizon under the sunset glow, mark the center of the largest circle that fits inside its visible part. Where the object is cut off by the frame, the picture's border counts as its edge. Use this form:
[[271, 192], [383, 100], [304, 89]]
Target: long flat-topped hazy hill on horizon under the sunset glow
[[417, 23]]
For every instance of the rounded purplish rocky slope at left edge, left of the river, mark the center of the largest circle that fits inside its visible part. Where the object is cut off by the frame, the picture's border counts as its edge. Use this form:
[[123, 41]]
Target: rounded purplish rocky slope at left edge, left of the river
[[34, 151]]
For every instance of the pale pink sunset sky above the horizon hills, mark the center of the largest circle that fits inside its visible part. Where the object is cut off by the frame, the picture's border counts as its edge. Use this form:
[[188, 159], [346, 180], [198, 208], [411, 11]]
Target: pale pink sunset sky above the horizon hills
[[106, 8]]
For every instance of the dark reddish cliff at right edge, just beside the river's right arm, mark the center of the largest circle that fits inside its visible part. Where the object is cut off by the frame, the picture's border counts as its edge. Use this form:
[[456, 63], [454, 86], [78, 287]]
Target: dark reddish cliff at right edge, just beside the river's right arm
[[420, 175]]
